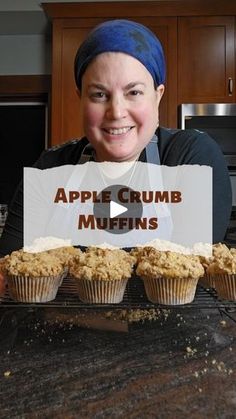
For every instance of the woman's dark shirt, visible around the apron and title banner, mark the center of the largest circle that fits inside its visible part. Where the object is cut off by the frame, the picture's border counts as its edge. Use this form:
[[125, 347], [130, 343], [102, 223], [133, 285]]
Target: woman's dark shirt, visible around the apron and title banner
[[176, 147]]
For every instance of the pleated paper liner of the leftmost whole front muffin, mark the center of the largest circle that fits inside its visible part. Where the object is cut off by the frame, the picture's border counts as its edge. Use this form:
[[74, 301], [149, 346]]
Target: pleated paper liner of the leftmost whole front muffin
[[33, 289]]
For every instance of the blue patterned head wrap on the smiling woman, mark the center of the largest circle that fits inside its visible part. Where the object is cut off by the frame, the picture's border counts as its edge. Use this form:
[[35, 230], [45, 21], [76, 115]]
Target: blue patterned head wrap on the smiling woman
[[126, 36]]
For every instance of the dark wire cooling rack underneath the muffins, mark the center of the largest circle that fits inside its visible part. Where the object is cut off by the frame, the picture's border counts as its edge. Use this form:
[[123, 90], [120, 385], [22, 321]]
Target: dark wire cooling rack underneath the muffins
[[134, 298]]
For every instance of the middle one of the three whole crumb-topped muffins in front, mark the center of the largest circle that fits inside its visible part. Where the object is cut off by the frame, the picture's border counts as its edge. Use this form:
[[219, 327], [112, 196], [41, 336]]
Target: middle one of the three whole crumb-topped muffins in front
[[101, 275]]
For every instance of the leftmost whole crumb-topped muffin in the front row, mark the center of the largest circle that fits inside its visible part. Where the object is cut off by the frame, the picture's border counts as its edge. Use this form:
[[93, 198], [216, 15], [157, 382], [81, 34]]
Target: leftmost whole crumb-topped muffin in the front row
[[33, 277]]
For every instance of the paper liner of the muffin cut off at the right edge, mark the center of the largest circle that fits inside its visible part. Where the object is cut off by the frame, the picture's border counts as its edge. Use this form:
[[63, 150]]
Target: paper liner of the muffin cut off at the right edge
[[225, 285]]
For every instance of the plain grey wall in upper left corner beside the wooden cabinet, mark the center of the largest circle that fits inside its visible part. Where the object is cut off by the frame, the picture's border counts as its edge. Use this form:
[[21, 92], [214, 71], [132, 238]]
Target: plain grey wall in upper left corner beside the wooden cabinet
[[25, 48]]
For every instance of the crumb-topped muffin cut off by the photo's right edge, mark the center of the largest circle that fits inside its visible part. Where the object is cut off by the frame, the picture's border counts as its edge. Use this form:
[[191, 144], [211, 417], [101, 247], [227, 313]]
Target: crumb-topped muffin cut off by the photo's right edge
[[223, 268]]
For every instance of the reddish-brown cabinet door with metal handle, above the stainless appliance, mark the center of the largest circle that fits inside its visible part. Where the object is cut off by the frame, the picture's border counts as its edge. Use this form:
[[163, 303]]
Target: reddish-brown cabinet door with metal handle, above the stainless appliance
[[206, 59]]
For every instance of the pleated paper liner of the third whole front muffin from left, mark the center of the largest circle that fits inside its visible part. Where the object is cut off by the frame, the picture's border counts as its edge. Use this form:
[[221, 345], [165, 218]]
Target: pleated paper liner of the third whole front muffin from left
[[170, 291]]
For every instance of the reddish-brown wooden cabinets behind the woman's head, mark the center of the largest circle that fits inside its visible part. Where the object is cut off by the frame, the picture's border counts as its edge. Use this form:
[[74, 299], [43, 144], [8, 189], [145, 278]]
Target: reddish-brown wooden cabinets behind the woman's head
[[198, 38]]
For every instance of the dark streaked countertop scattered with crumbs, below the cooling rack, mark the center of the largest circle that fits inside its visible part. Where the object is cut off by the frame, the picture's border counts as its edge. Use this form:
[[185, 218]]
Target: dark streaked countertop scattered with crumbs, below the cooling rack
[[182, 364]]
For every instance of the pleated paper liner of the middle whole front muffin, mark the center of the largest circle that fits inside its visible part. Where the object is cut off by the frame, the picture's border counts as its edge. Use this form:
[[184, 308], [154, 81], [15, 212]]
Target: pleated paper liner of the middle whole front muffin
[[98, 291]]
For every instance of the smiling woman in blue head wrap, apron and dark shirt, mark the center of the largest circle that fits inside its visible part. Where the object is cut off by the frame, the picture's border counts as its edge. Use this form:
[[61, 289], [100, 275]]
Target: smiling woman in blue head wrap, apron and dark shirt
[[120, 75]]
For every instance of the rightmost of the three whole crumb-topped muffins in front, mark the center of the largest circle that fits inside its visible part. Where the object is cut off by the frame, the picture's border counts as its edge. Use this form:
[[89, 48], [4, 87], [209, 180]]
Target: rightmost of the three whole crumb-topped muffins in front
[[169, 278]]
